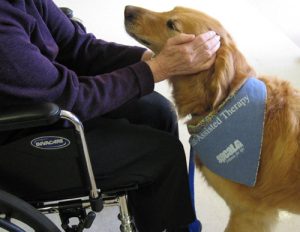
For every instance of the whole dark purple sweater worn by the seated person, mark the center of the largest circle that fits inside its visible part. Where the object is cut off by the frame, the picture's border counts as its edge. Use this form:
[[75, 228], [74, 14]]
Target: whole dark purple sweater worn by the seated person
[[45, 57]]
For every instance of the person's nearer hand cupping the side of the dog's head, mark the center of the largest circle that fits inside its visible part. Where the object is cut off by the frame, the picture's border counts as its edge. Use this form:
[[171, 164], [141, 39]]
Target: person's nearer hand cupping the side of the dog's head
[[185, 54]]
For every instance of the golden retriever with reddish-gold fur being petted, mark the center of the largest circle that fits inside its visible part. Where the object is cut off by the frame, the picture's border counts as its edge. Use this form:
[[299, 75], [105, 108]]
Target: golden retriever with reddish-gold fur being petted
[[252, 208]]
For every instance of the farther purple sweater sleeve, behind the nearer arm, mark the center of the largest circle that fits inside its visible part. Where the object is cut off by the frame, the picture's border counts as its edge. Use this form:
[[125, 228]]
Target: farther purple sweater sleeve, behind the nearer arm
[[81, 51]]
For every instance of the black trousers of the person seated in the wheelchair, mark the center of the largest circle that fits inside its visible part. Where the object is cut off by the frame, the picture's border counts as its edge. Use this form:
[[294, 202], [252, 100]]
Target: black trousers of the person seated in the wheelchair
[[138, 143]]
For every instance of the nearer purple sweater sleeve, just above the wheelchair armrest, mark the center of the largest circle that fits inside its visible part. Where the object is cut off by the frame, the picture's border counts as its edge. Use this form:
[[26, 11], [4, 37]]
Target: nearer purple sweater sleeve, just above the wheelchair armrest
[[27, 75]]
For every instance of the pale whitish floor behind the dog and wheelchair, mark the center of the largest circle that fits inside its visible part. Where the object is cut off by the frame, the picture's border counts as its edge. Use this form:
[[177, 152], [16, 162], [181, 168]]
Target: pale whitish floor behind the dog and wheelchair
[[267, 34]]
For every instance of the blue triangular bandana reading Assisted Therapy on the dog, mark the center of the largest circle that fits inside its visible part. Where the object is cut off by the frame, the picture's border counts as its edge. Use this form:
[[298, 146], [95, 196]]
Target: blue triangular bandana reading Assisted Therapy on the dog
[[229, 141]]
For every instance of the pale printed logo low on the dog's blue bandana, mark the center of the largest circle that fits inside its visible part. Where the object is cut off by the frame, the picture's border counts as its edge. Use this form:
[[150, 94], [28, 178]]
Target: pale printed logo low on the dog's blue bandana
[[231, 152]]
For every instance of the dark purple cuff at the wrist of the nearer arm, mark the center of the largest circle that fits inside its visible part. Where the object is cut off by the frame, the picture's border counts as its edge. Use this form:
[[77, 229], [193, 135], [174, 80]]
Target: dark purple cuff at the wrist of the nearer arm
[[144, 77]]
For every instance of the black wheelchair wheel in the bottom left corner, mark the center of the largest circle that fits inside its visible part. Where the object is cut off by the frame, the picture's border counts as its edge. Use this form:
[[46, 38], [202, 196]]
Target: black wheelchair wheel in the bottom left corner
[[16, 214]]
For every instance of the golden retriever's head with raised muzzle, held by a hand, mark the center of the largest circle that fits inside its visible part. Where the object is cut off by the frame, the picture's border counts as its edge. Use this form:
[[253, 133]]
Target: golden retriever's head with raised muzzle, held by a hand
[[204, 91]]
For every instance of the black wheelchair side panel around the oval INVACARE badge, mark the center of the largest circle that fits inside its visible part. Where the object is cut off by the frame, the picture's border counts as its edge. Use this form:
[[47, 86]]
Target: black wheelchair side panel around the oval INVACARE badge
[[38, 174]]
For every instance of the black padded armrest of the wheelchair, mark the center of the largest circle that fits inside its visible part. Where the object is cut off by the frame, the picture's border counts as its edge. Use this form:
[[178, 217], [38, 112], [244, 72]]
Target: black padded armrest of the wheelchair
[[26, 116]]
